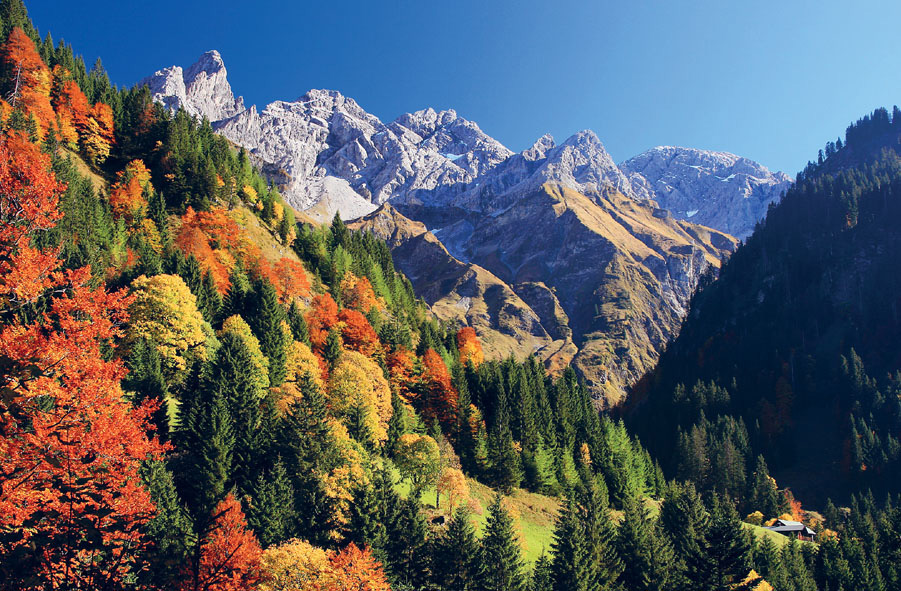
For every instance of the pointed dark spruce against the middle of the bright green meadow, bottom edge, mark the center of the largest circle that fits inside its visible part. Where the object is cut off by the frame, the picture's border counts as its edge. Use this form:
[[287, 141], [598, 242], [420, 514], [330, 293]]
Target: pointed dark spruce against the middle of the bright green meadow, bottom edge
[[501, 555]]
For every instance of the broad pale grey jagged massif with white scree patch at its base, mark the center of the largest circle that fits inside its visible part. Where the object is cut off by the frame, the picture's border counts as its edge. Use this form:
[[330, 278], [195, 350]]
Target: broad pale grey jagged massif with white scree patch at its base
[[340, 157]]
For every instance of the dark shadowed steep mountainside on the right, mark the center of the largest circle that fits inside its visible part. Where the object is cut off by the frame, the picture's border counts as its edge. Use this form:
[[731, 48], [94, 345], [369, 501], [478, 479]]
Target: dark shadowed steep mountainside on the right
[[800, 318]]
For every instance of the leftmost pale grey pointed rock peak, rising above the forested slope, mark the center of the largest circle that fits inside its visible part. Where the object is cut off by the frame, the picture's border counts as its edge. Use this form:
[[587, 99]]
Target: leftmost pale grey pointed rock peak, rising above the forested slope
[[201, 90]]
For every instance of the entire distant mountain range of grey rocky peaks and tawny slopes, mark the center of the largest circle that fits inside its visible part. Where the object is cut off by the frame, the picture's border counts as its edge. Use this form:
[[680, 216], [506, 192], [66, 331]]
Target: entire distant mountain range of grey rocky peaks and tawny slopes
[[555, 250]]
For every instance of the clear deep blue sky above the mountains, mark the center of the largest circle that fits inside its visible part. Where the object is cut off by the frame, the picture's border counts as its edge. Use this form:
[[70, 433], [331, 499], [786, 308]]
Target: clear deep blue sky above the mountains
[[770, 80]]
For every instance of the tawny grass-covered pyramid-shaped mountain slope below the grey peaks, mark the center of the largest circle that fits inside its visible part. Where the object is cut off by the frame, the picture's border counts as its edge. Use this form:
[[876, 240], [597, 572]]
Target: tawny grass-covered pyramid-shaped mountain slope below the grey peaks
[[622, 271]]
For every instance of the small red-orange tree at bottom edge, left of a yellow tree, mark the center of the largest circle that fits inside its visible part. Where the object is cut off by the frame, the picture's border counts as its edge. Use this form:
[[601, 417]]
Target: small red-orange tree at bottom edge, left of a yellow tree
[[230, 555]]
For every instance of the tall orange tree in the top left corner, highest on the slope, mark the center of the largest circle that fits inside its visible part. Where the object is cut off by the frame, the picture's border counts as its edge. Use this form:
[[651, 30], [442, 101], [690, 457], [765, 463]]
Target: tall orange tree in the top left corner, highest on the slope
[[31, 81]]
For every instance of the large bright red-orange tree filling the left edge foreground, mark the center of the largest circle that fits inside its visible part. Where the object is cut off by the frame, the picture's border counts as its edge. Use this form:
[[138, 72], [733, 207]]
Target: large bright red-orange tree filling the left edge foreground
[[71, 502]]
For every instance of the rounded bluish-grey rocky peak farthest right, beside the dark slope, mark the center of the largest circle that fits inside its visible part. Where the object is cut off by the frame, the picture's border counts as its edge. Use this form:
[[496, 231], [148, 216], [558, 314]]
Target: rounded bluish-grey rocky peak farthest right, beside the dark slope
[[715, 189]]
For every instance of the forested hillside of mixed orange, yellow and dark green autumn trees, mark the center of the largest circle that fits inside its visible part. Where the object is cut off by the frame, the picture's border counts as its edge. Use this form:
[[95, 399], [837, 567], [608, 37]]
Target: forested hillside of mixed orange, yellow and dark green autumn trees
[[201, 393]]
